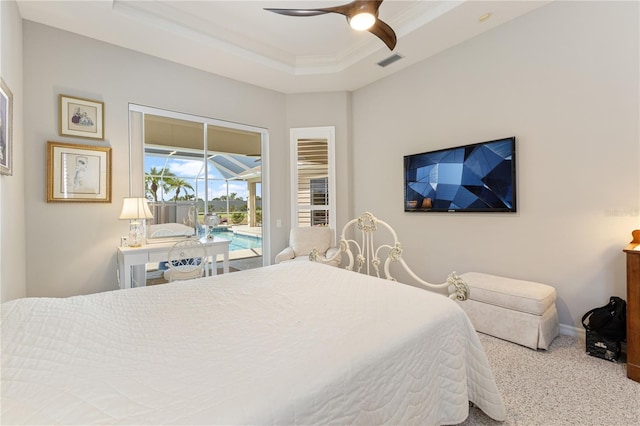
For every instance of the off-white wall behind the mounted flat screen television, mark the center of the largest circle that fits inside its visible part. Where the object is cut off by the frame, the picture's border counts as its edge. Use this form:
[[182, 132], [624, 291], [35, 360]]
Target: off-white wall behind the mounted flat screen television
[[562, 79]]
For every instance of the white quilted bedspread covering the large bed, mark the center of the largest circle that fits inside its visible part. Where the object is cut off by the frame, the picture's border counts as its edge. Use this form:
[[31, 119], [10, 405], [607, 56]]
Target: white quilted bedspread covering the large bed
[[295, 343]]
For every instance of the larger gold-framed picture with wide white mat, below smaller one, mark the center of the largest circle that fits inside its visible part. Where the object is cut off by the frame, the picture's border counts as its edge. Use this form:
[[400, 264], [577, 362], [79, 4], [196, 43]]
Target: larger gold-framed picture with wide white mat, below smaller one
[[78, 173]]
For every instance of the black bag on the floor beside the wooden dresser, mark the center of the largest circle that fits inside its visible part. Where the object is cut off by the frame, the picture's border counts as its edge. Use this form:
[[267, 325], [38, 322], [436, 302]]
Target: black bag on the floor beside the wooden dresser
[[609, 321]]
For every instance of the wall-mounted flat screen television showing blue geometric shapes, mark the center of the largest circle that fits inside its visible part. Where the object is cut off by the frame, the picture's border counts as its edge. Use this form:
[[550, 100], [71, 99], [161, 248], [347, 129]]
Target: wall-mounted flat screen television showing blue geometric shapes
[[479, 177]]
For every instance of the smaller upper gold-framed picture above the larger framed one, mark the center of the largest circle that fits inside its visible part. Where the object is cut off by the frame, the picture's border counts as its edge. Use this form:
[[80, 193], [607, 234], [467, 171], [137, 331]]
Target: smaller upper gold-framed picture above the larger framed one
[[81, 118]]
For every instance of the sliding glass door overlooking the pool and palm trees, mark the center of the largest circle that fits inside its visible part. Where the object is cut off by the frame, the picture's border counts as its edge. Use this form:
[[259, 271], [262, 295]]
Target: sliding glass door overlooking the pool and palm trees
[[206, 164]]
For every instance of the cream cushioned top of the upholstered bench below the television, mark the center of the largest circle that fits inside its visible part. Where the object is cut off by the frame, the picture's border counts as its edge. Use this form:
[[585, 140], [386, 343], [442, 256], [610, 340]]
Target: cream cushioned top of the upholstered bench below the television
[[524, 296]]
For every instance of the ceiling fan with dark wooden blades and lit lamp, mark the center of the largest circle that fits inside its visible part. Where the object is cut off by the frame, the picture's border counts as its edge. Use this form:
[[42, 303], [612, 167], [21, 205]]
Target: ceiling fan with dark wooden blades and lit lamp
[[362, 15]]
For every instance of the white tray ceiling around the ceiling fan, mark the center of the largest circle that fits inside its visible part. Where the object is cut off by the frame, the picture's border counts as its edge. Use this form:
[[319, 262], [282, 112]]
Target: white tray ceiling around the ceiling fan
[[240, 40]]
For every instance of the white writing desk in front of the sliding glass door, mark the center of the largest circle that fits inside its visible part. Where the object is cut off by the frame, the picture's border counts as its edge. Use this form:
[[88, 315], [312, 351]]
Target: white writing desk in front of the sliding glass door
[[129, 257]]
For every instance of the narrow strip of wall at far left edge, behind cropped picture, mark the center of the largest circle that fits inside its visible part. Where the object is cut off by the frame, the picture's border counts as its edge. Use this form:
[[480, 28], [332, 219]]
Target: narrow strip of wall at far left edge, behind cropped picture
[[12, 200]]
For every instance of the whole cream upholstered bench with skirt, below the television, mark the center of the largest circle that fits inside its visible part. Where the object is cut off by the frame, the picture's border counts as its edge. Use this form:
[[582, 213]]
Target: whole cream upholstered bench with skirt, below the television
[[522, 312]]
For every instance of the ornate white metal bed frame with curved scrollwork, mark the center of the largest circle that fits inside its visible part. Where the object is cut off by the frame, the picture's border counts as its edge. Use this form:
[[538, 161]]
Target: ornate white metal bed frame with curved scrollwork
[[367, 256]]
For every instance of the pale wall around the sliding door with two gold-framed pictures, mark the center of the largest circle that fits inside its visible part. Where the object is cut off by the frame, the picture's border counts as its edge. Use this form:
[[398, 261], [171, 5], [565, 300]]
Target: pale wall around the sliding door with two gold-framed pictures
[[72, 247]]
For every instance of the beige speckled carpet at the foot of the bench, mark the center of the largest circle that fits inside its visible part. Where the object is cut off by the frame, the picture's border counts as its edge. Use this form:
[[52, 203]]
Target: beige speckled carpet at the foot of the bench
[[561, 386]]
